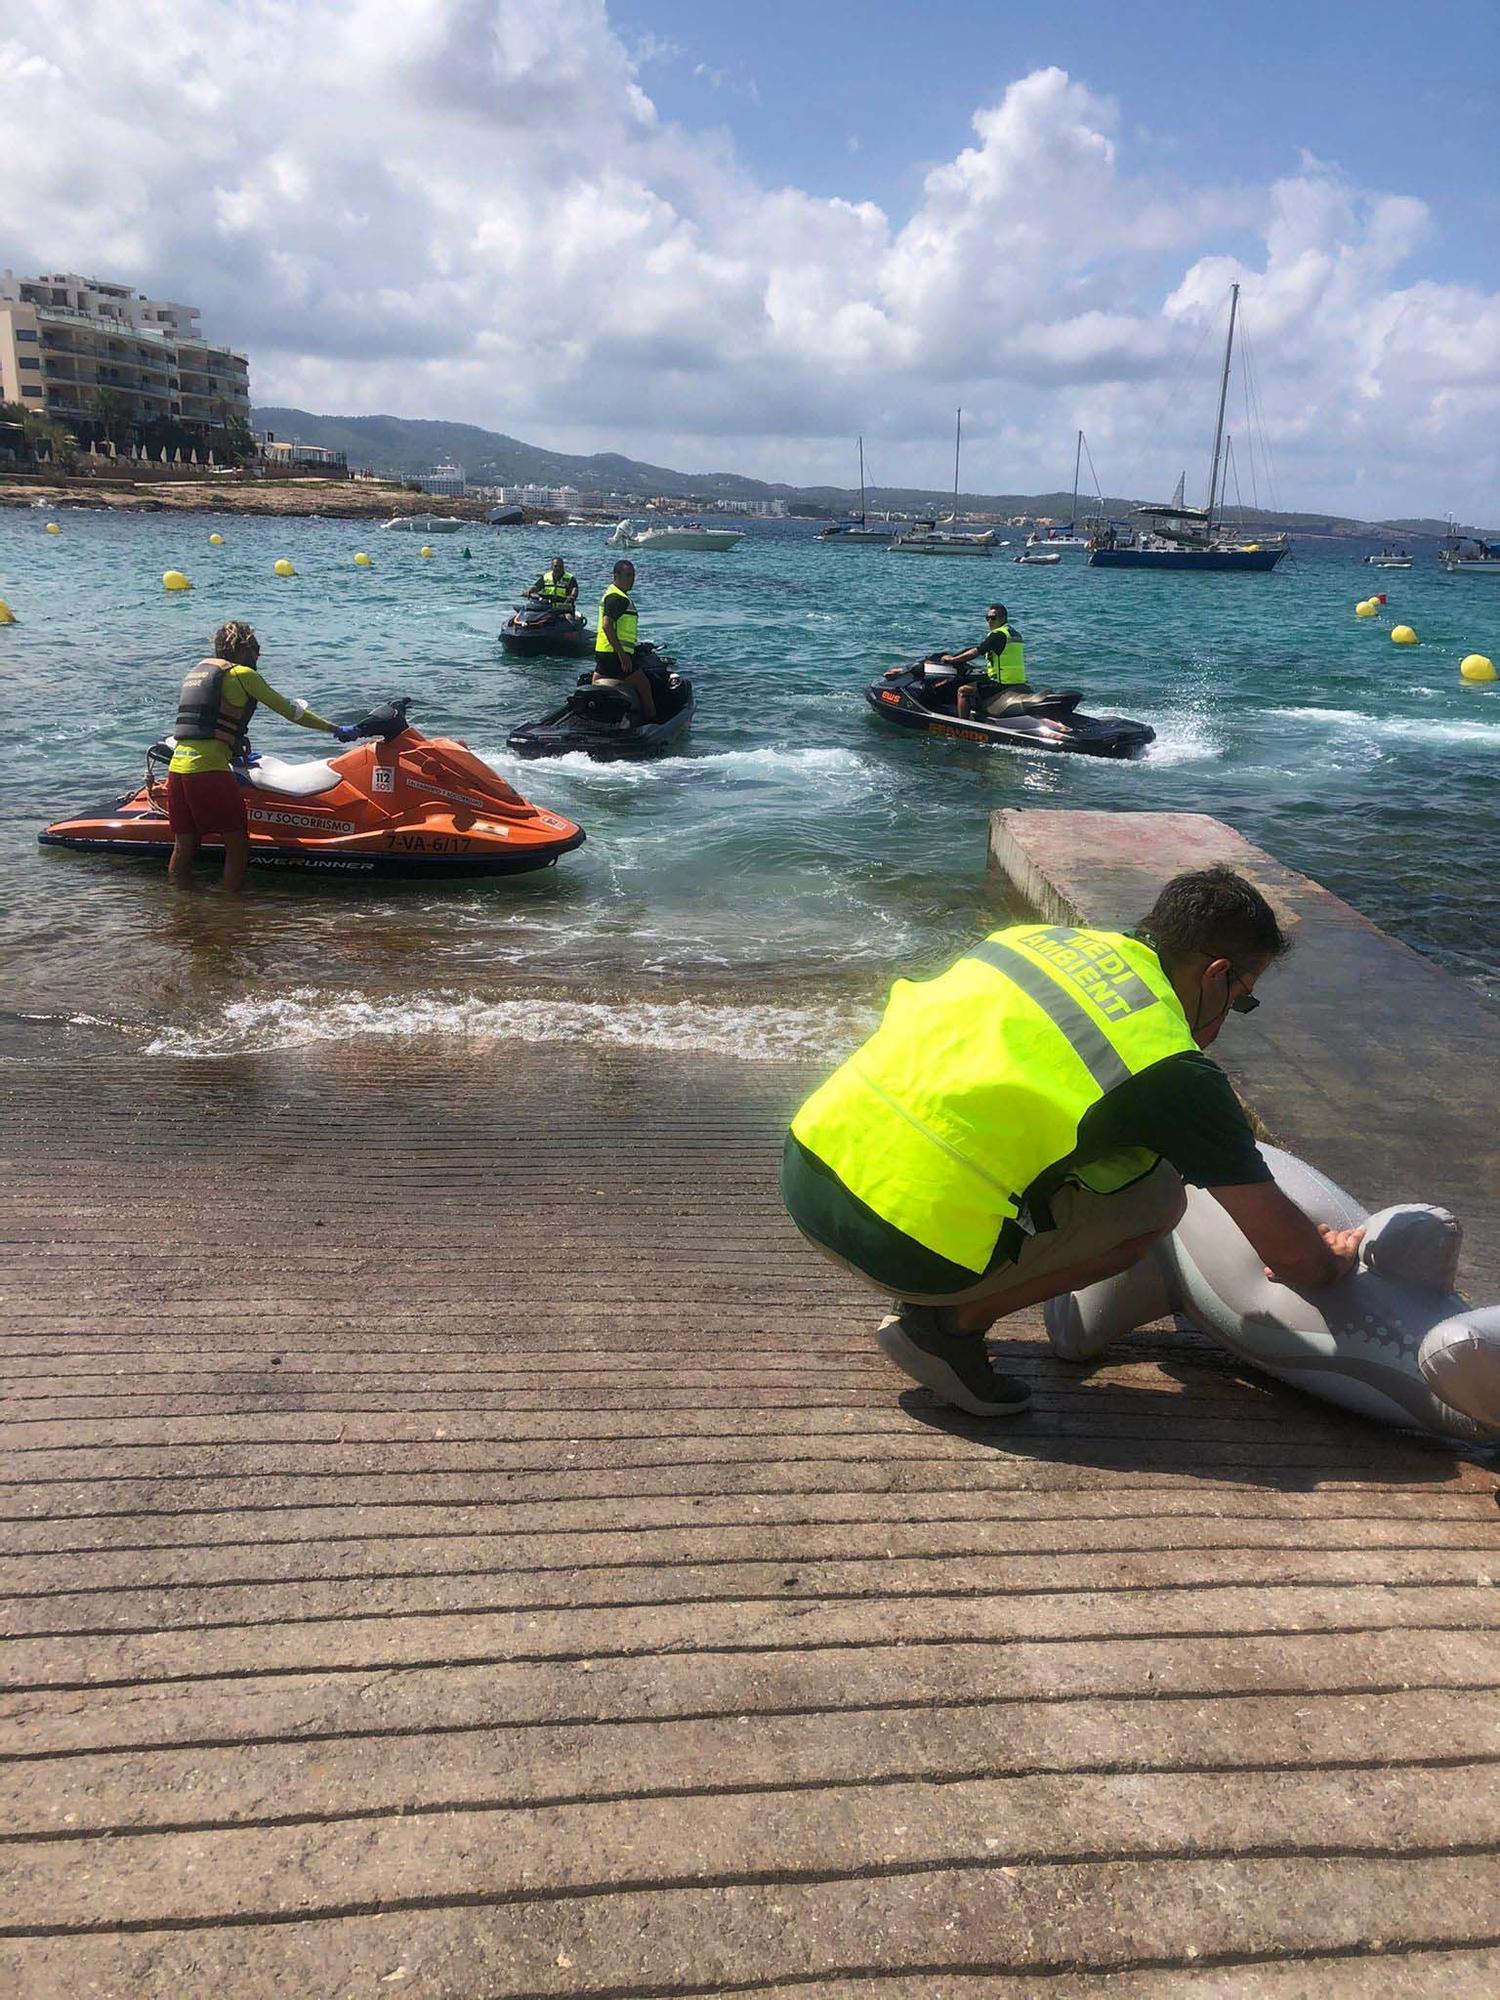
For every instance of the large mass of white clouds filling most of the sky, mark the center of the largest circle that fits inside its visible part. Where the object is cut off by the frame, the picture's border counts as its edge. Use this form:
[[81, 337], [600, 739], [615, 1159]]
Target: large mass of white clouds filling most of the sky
[[473, 209]]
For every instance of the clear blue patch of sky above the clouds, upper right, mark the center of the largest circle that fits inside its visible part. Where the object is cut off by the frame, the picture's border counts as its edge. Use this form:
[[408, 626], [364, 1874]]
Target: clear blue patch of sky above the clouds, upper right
[[859, 97]]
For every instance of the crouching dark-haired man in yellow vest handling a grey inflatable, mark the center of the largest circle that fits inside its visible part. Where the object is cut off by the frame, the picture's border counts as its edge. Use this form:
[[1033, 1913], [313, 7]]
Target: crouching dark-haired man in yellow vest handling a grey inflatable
[[1023, 1125]]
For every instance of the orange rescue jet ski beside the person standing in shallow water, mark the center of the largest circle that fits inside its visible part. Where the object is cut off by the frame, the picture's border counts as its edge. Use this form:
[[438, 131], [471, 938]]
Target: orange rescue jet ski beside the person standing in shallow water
[[405, 805]]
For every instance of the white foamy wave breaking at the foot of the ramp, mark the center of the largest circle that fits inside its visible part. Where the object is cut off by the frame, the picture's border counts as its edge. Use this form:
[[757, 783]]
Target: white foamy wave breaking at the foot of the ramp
[[307, 1019]]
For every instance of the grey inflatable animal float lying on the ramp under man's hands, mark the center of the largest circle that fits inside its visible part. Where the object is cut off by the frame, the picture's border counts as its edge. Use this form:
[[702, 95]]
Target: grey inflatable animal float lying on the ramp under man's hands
[[1393, 1341]]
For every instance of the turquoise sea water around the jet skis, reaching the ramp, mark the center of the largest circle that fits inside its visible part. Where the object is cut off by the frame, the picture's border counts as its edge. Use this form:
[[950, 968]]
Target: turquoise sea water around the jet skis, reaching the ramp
[[761, 885]]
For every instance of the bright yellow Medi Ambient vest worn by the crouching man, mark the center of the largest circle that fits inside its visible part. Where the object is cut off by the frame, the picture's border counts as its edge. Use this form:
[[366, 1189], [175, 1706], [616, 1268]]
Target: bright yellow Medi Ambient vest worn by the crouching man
[[975, 1083]]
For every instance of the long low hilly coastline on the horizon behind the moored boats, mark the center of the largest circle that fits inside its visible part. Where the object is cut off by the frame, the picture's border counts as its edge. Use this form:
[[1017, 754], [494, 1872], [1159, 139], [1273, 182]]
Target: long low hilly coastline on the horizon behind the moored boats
[[407, 447]]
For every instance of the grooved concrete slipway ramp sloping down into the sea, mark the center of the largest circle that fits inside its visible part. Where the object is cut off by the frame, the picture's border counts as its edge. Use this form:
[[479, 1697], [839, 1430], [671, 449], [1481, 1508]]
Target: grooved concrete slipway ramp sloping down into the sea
[[459, 1543]]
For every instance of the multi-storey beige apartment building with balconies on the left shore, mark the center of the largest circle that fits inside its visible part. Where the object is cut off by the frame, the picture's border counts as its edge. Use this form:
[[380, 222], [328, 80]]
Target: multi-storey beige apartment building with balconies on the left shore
[[65, 339]]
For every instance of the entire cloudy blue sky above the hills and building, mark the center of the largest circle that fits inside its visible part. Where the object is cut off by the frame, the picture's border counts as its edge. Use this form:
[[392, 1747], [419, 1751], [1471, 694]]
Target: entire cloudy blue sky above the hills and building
[[739, 237]]
